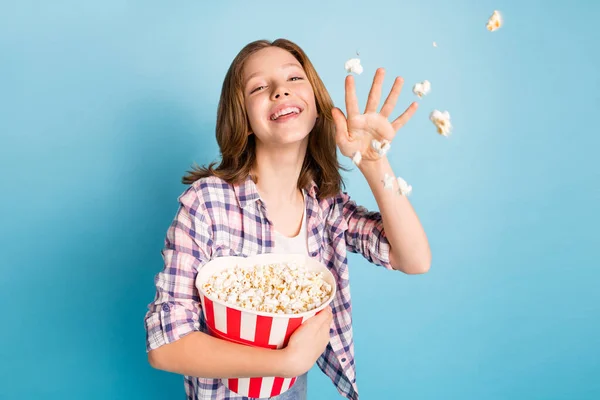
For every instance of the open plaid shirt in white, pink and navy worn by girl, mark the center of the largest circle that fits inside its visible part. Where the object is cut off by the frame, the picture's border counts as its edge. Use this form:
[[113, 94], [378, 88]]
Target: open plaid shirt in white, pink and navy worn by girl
[[216, 219]]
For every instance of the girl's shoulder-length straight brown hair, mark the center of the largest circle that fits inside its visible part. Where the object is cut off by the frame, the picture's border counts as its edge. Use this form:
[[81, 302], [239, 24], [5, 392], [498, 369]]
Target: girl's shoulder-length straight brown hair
[[237, 148]]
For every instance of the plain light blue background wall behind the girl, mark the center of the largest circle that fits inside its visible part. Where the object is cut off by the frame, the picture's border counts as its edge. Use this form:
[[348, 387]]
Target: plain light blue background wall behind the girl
[[105, 105]]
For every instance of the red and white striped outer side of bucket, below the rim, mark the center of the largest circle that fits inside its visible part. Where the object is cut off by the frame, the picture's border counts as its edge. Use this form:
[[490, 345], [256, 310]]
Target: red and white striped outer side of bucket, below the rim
[[250, 329]]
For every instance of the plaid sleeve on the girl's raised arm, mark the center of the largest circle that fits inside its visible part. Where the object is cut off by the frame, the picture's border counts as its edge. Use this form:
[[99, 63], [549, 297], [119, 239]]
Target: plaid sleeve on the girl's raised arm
[[365, 234]]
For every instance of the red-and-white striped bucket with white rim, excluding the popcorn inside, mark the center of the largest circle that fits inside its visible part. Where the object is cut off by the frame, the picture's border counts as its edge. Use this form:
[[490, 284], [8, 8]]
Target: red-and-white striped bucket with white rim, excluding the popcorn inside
[[255, 328]]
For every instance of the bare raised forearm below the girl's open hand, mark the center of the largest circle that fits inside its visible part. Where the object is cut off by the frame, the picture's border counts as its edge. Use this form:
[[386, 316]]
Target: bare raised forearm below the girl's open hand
[[410, 251]]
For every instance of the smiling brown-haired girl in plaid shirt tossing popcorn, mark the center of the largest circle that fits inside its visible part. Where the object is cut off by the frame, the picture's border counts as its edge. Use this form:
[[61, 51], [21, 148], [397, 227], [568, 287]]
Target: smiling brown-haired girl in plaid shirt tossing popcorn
[[278, 188]]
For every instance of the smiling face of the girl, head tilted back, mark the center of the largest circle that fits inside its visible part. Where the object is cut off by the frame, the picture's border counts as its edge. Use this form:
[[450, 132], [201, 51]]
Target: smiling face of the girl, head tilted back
[[279, 99]]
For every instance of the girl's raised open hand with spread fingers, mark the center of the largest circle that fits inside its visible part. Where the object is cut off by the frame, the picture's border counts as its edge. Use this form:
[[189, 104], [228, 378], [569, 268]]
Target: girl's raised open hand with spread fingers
[[356, 132]]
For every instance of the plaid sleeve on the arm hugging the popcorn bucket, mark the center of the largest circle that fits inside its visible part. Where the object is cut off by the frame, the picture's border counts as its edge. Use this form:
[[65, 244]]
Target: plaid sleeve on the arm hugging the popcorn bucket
[[176, 310]]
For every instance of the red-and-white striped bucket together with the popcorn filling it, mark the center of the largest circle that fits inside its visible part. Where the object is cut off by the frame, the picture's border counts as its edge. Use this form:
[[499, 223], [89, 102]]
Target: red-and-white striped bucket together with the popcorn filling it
[[260, 301]]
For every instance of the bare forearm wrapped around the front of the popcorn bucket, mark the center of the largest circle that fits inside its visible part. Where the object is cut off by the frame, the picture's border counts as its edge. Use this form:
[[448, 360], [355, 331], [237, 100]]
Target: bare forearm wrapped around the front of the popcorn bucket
[[201, 355]]
